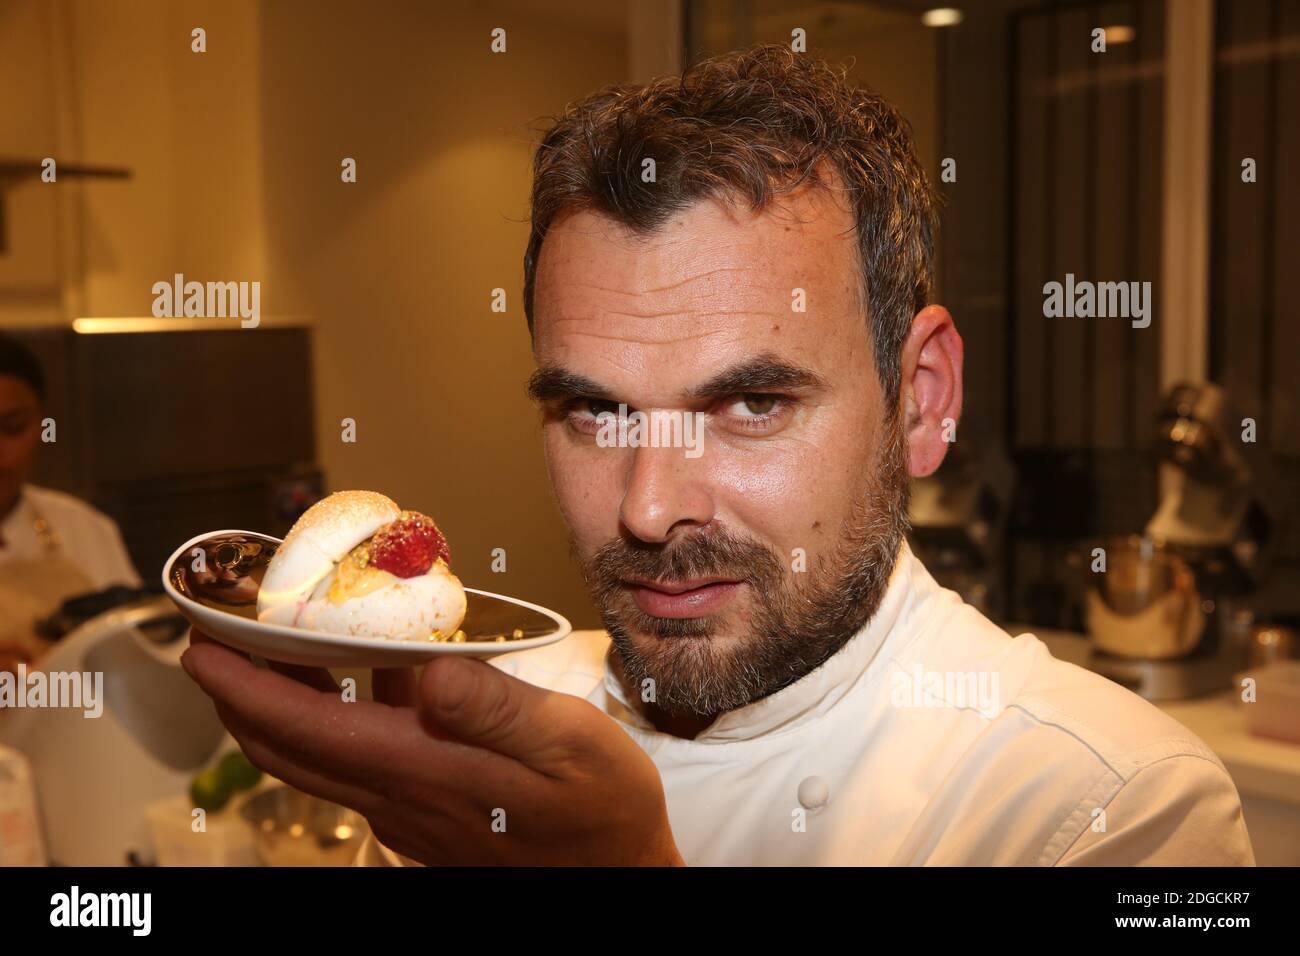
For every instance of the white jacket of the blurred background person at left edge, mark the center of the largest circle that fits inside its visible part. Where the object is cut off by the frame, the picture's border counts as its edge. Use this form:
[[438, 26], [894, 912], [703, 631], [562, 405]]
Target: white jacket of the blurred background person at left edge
[[88, 538]]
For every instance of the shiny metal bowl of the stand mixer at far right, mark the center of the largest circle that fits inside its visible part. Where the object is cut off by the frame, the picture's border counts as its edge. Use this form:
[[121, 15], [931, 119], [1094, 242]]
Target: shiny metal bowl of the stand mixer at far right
[[1146, 604]]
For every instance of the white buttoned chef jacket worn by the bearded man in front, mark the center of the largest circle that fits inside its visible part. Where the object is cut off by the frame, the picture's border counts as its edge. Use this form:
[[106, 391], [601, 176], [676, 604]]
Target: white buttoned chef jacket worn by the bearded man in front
[[878, 758]]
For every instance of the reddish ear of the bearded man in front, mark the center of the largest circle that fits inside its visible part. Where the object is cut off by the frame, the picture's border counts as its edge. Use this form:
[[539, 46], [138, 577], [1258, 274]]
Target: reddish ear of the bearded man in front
[[933, 388]]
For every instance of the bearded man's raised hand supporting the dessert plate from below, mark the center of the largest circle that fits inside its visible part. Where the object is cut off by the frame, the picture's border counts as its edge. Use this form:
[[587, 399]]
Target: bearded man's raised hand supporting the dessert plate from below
[[466, 765]]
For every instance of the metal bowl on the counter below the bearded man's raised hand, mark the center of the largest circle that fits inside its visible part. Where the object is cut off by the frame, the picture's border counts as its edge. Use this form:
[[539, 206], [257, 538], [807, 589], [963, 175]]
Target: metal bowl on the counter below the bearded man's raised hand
[[296, 829]]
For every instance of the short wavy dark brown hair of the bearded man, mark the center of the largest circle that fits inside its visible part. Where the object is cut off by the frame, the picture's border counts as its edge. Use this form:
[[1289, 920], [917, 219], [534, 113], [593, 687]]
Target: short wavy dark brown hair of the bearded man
[[751, 124]]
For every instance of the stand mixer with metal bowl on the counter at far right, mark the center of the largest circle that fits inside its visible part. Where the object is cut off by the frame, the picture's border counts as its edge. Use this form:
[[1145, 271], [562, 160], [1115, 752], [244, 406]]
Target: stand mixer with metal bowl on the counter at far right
[[1169, 616]]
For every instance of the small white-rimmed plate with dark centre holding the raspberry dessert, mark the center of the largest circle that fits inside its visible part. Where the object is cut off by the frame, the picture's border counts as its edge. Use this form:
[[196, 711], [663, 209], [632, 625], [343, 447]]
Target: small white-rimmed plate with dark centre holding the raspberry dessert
[[488, 616]]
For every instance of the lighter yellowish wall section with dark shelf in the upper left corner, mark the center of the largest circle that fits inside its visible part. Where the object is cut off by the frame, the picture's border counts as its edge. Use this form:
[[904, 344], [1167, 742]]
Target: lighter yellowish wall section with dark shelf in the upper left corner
[[116, 85]]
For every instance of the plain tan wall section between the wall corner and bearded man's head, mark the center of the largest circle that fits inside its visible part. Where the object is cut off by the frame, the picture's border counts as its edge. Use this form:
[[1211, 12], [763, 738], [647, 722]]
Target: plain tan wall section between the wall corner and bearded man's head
[[397, 270]]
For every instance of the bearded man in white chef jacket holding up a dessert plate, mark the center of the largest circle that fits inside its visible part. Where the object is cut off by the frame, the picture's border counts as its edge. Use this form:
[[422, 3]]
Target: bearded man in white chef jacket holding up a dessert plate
[[782, 681]]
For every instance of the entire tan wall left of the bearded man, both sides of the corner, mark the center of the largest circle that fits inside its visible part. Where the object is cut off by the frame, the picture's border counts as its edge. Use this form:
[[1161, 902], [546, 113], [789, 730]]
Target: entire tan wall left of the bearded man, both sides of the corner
[[235, 159]]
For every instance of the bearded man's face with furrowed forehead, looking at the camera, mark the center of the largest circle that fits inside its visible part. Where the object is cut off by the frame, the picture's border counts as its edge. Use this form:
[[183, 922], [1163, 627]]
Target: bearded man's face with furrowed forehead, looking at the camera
[[729, 574]]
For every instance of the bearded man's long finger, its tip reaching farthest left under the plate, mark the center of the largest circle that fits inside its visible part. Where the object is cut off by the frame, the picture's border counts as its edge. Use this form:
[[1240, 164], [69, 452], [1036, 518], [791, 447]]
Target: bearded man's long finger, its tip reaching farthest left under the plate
[[357, 742]]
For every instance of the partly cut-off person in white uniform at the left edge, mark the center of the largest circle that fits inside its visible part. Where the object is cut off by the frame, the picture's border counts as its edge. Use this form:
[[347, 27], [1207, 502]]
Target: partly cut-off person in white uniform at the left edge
[[53, 546]]
